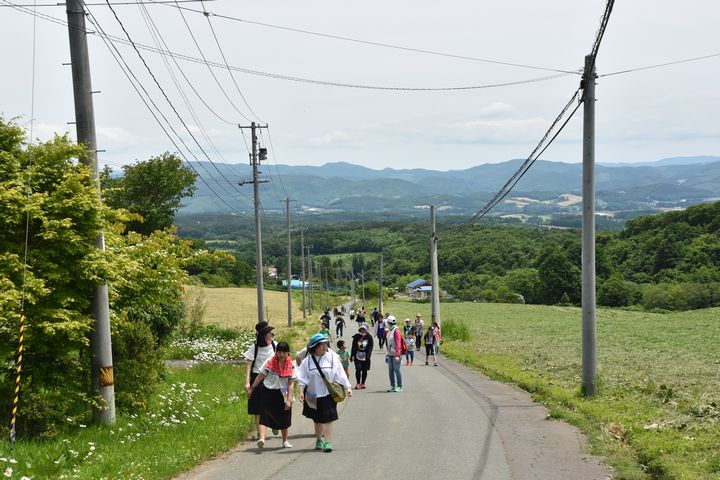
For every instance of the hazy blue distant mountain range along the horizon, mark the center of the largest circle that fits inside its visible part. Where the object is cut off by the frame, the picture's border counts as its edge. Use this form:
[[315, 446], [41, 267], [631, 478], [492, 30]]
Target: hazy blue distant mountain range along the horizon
[[548, 188]]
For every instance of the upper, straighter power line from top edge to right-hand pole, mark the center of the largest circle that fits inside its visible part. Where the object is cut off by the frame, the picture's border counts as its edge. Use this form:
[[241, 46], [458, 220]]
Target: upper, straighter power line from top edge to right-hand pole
[[376, 44]]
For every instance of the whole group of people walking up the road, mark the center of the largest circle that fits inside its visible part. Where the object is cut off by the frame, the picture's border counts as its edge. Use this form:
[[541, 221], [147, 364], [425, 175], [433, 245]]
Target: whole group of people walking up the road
[[272, 376]]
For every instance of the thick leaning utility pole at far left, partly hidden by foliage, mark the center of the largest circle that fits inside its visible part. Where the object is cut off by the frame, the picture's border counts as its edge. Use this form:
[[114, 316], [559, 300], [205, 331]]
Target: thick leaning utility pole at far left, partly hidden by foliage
[[101, 371]]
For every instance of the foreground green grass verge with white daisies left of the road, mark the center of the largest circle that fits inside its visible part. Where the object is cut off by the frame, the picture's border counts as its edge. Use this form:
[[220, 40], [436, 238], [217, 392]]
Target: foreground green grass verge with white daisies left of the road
[[199, 413]]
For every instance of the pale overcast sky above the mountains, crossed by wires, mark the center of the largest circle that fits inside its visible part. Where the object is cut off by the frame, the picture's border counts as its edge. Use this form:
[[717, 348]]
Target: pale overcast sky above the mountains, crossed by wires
[[641, 116]]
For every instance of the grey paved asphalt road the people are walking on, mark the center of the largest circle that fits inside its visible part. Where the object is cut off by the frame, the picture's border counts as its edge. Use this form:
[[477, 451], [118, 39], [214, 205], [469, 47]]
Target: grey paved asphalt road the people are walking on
[[449, 422]]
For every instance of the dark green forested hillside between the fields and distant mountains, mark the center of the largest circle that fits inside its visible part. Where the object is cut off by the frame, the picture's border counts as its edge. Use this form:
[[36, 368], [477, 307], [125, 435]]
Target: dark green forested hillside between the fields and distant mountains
[[665, 261]]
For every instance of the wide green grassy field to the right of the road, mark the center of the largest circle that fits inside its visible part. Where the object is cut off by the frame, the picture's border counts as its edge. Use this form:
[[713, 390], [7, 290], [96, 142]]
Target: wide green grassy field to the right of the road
[[657, 414]]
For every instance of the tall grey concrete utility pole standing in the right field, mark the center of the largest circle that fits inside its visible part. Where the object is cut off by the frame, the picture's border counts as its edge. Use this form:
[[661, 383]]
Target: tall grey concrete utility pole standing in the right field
[[589, 355]]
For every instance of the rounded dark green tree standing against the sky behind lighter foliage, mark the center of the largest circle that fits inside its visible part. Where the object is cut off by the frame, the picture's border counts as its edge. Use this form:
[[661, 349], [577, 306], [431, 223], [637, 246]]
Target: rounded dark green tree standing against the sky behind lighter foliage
[[153, 189]]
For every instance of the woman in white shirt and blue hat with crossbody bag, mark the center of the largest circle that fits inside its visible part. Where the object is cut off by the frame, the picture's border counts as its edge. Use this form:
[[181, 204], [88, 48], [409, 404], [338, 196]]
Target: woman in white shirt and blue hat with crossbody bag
[[318, 405]]
